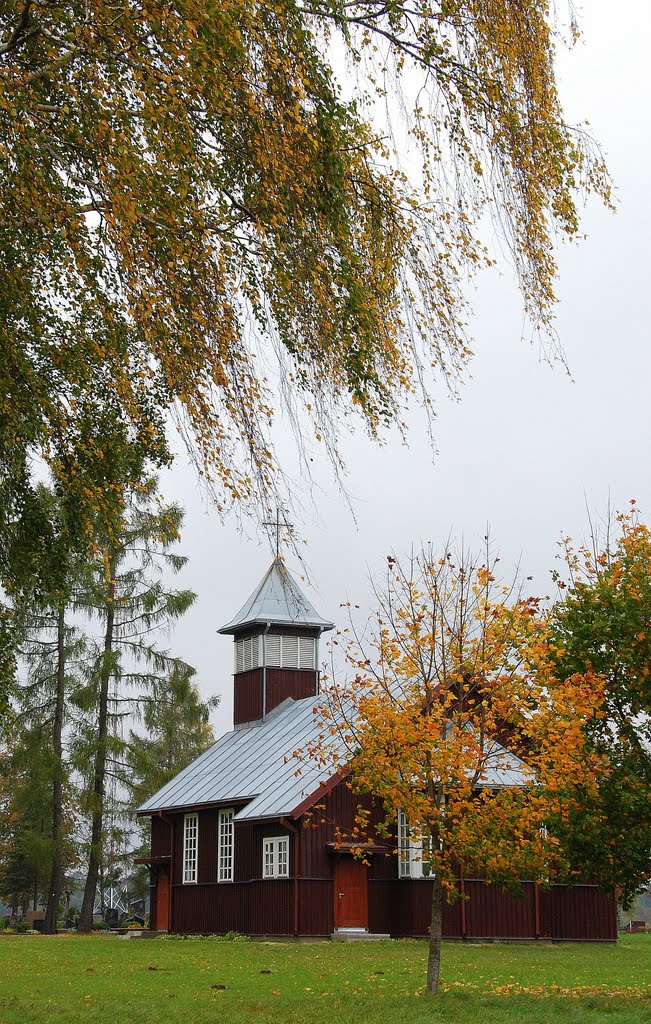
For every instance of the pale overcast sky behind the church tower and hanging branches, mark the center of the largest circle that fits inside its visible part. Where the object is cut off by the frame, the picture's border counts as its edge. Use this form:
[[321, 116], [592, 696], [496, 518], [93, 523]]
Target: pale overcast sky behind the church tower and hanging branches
[[528, 449]]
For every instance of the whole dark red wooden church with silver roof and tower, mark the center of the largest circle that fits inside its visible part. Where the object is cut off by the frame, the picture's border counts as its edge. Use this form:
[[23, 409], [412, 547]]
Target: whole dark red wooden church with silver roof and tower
[[230, 850]]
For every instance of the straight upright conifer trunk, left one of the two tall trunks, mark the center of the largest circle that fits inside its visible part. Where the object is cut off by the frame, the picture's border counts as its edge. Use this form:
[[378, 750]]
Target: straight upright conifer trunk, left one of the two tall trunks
[[55, 891]]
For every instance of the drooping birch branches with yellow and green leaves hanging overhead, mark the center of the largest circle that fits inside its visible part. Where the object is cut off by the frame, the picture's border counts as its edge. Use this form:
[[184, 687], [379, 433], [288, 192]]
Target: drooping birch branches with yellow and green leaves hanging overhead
[[187, 190]]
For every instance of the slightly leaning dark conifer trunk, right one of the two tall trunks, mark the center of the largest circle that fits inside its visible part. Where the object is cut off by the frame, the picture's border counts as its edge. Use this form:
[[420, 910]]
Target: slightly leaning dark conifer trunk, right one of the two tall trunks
[[97, 836]]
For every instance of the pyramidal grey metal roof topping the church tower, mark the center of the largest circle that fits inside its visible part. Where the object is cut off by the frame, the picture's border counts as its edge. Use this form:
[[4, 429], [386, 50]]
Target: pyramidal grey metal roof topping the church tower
[[279, 601]]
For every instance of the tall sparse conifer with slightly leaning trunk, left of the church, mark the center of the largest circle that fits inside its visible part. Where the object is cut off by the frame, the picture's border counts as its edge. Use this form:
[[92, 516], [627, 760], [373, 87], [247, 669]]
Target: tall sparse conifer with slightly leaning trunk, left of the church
[[126, 596]]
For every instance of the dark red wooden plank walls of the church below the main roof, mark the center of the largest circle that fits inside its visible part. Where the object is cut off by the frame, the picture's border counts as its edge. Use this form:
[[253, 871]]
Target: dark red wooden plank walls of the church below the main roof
[[397, 907]]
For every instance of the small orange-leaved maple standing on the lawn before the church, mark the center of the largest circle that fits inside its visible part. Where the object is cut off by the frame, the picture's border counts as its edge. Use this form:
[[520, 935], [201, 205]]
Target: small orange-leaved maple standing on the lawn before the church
[[456, 719]]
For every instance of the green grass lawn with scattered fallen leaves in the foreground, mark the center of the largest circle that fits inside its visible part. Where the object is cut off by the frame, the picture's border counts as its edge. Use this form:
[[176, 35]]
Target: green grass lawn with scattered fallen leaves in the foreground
[[105, 979]]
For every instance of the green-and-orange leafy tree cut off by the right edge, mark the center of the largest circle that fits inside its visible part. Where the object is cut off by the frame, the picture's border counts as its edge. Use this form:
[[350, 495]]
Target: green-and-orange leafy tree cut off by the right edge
[[602, 622]]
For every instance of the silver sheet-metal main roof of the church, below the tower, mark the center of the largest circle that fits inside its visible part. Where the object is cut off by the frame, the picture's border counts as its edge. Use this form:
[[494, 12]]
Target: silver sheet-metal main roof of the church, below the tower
[[257, 765]]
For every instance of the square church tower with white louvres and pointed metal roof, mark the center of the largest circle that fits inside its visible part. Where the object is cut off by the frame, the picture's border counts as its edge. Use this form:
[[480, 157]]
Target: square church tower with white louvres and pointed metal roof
[[276, 636]]
